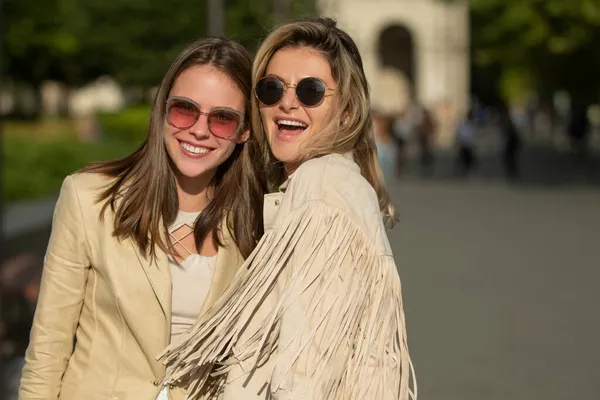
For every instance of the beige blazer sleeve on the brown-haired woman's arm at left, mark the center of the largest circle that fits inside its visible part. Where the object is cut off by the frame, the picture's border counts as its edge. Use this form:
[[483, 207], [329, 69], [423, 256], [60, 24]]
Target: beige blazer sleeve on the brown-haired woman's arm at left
[[62, 291]]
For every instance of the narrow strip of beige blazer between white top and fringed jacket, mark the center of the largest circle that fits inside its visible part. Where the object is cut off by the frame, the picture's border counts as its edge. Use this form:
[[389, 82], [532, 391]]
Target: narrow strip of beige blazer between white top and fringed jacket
[[229, 261]]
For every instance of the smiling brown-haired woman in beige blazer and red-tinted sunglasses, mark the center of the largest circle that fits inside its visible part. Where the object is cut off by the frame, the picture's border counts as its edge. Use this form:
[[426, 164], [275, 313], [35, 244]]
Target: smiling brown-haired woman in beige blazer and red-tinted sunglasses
[[141, 246]]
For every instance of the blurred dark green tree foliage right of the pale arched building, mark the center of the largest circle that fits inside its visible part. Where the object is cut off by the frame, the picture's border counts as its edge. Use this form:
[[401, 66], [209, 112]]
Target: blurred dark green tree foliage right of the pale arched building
[[552, 43]]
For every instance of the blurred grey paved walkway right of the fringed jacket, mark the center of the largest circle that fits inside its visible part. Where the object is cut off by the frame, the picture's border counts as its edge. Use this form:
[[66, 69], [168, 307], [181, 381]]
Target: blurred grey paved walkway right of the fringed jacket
[[501, 289]]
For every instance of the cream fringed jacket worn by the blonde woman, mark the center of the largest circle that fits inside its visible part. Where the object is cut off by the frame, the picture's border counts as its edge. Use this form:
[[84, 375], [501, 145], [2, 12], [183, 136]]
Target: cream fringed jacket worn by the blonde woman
[[316, 311]]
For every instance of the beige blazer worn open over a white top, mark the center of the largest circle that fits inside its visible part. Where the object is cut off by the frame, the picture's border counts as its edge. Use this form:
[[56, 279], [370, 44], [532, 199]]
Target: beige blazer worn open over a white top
[[104, 309]]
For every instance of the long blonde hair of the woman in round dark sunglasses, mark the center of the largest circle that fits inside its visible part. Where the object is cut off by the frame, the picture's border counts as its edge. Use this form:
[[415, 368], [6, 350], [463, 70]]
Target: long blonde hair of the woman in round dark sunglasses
[[350, 128]]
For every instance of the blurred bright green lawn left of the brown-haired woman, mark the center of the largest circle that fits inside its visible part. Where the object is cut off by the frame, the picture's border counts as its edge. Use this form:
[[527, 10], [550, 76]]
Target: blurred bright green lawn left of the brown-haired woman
[[37, 168]]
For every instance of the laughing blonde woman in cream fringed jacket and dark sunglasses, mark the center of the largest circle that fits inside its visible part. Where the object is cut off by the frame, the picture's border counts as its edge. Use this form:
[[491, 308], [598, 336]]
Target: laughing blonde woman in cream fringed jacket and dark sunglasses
[[316, 311]]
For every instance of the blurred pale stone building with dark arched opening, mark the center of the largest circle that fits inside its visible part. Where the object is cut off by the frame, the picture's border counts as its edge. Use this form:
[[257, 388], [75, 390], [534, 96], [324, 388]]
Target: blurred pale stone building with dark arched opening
[[424, 43]]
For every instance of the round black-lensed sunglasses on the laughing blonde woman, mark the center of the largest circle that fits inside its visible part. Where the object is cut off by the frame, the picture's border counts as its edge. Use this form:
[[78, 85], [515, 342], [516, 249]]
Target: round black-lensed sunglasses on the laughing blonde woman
[[309, 91]]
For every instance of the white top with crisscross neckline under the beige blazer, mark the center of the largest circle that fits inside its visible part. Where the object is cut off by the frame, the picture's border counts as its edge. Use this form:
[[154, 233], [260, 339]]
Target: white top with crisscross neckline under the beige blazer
[[191, 279]]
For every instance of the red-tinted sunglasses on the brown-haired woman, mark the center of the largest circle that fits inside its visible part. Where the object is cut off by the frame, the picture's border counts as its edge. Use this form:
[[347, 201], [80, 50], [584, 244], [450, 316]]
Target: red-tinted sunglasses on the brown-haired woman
[[223, 122]]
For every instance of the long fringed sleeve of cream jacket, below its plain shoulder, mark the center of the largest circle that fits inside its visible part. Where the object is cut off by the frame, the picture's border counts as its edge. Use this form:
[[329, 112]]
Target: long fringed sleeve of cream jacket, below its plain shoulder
[[336, 330]]
